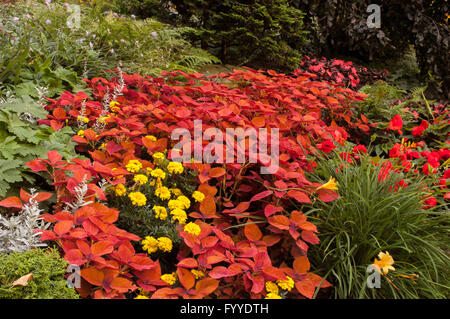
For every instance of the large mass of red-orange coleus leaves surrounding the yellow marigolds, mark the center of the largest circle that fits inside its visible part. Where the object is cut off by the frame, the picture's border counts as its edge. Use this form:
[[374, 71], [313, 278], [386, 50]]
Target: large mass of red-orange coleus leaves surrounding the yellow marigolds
[[236, 260]]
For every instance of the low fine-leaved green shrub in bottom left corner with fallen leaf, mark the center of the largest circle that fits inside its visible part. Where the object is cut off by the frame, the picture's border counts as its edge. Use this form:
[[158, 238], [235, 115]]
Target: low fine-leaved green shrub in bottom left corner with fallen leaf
[[48, 270]]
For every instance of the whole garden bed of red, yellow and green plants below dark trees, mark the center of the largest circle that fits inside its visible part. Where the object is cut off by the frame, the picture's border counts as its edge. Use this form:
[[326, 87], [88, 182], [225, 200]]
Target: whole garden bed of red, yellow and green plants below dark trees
[[322, 182]]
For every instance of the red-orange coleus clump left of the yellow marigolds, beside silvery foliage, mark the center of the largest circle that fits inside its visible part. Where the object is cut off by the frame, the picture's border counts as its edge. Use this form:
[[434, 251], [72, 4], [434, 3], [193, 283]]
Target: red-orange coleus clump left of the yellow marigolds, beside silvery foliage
[[86, 233]]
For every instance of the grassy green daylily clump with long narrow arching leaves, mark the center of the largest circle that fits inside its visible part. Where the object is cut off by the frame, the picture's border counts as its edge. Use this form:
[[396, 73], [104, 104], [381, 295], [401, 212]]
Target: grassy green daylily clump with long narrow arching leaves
[[369, 217]]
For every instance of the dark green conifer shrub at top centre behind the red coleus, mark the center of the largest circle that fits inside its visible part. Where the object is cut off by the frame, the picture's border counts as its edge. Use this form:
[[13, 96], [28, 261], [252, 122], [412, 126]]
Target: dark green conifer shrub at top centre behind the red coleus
[[258, 34]]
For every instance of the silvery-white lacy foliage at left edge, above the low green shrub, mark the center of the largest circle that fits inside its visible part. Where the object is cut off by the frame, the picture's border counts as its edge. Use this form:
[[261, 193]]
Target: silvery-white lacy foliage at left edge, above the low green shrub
[[20, 232]]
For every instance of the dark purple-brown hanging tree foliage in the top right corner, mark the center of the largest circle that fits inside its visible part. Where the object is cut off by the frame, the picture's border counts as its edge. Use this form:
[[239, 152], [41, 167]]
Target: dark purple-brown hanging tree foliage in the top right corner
[[339, 27]]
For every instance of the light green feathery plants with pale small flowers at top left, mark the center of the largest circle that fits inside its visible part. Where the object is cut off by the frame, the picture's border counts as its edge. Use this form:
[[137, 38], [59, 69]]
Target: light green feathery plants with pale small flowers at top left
[[40, 49]]
